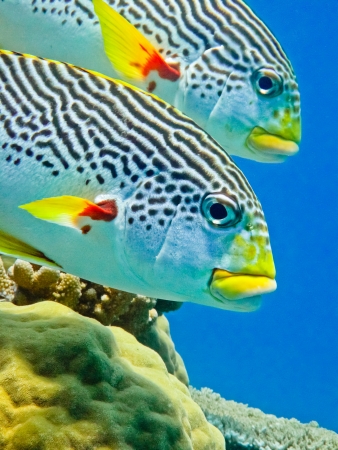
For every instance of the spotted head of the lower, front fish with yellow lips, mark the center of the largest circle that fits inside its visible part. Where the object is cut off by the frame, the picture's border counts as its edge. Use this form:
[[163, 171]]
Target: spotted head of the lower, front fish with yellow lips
[[206, 244]]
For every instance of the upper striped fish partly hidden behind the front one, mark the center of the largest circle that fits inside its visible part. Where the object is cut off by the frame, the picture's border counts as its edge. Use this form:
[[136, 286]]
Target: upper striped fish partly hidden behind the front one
[[214, 60]]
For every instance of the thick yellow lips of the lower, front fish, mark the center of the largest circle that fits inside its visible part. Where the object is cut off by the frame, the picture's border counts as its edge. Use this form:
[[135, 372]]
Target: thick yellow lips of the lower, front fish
[[235, 286]]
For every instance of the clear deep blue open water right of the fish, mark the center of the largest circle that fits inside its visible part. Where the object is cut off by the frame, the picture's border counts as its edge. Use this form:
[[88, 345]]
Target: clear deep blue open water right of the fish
[[284, 358]]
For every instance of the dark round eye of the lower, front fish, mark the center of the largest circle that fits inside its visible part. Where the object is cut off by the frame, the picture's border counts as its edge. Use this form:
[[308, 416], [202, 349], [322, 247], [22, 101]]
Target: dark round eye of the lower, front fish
[[221, 210]]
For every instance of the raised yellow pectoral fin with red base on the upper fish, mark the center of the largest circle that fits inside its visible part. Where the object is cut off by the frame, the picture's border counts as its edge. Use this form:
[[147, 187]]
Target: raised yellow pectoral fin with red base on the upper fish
[[128, 50]]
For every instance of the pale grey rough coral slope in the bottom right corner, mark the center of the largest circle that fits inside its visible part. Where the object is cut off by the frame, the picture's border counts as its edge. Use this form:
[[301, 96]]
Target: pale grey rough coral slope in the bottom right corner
[[247, 428]]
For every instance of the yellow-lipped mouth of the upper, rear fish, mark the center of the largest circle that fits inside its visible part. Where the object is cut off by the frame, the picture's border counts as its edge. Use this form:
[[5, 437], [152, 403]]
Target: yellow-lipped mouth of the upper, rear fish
[[275, 148]]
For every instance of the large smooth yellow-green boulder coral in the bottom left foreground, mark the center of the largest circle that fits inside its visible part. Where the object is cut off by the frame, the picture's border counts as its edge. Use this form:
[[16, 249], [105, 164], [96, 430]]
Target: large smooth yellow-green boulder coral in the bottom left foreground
[[67, 381]]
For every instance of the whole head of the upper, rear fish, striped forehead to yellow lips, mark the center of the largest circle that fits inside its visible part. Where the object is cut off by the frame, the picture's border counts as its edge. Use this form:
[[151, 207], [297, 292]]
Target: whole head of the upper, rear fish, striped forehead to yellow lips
[[245, 94]]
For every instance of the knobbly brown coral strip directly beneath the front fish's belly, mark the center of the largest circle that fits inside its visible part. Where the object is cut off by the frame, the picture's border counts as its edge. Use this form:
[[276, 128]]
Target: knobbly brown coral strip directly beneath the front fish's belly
[[109, 306]]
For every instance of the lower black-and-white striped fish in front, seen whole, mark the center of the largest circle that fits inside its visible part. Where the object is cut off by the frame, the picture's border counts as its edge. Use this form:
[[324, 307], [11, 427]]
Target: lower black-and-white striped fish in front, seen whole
[[116, 186]]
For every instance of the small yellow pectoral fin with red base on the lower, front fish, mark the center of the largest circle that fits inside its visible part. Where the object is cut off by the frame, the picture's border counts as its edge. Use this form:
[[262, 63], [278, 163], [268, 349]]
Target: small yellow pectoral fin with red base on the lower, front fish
[[67, 210]]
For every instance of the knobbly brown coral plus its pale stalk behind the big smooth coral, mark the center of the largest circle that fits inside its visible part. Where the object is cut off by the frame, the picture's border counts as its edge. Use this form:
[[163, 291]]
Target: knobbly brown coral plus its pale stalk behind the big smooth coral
[[27, 284]]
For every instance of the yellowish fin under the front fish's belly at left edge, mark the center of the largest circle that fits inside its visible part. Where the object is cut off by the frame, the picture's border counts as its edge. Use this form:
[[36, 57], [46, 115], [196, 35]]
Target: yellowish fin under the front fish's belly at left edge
[[12, 246]]
